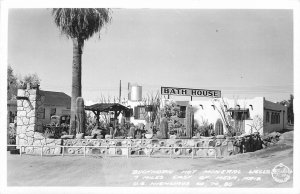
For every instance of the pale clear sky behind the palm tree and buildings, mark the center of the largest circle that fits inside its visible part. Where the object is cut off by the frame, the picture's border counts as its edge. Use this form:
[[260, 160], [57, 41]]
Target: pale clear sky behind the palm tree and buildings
[[243, 53]]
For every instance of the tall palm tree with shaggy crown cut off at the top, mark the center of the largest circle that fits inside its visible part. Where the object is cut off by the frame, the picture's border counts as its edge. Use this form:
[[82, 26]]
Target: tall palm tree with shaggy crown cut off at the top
[[79, 25]]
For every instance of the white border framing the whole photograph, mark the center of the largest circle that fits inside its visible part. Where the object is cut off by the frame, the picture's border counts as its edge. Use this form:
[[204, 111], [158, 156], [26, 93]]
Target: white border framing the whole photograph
[[157, 4]]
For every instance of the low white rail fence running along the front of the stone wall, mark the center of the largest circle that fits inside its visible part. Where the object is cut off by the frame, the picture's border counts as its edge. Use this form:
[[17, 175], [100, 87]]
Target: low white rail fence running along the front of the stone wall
[[172, 154]]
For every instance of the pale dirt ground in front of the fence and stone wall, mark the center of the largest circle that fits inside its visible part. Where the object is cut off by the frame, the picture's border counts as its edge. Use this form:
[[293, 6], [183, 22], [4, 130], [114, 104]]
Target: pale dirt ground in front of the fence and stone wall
[[244, 170]]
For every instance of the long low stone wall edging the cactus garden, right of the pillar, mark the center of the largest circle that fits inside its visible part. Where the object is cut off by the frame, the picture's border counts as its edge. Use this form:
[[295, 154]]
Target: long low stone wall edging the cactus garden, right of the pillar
[[213, 147]]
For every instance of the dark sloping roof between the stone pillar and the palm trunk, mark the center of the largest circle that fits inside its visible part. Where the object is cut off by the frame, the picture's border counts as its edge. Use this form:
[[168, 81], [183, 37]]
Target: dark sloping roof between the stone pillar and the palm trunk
[[56, 98]]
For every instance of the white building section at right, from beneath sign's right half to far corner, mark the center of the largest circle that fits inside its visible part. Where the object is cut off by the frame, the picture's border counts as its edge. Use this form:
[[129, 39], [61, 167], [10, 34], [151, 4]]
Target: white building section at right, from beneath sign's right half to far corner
[[247, 115]]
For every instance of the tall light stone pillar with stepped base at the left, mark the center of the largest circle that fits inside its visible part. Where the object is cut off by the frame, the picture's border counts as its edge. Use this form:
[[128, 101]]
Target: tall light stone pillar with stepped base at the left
[[29, 111]]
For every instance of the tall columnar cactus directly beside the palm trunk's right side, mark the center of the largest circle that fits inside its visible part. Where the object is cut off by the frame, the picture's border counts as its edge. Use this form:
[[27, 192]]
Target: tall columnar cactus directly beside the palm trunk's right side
[[80, 115]]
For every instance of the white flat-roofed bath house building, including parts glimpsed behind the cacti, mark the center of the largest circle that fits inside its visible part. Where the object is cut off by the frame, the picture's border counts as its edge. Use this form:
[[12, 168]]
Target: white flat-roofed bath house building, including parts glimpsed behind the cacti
[[246, 115]]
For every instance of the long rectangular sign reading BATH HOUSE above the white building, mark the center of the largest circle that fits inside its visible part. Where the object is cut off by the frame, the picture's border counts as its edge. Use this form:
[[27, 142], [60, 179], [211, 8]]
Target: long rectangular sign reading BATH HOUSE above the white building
[[190, 92]]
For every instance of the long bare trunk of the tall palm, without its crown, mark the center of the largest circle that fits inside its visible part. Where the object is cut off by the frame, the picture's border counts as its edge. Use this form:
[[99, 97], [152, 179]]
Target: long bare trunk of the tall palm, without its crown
[[76, 80]]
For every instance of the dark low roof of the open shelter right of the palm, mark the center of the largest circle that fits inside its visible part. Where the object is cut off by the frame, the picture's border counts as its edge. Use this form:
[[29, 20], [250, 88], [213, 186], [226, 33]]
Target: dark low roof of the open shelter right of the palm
[[106, 107]]
